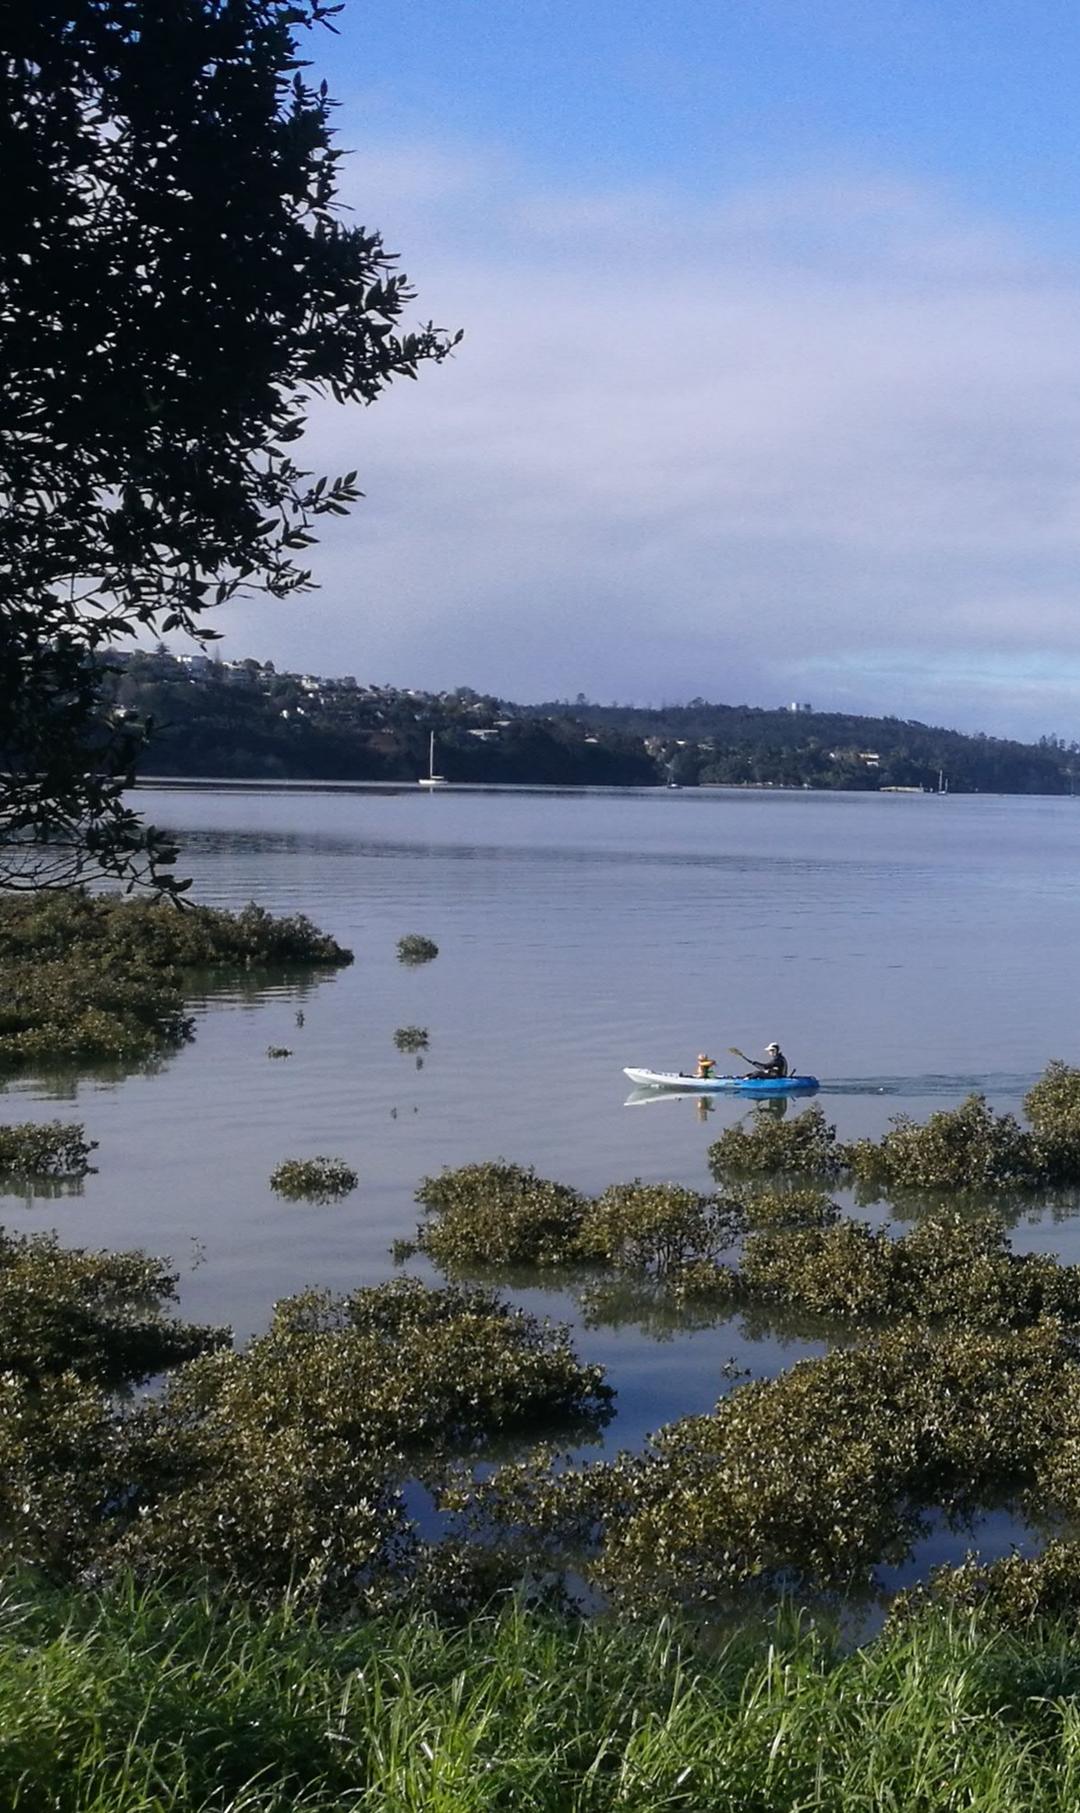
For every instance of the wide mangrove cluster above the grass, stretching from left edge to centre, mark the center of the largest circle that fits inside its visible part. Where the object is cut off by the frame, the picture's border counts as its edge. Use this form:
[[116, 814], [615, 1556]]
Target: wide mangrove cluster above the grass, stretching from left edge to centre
[[276, 1468]]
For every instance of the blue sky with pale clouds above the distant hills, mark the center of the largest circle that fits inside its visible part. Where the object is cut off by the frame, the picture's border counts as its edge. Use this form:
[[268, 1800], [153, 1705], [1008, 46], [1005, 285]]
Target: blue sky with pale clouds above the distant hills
[[771, 369]]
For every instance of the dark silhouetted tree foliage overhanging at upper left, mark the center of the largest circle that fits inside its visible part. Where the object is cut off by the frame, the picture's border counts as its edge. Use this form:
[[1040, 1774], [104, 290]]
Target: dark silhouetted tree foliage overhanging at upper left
[[177, 286]]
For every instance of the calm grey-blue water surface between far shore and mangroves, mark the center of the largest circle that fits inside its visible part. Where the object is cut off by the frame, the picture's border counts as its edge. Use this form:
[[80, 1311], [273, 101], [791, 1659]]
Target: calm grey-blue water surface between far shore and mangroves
[[902, 947]]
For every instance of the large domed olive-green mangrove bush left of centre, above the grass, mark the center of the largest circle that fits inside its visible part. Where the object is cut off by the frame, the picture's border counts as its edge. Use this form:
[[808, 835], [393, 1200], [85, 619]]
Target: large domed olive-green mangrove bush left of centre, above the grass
[[282, 1468]]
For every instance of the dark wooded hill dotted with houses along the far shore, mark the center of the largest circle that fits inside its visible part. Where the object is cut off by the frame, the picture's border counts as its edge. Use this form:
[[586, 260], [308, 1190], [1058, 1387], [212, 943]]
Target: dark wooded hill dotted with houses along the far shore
[[244, 719]]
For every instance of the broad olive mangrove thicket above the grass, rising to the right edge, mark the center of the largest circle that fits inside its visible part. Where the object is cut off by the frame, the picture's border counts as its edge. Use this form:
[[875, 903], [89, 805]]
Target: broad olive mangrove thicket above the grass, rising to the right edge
[[815, 1477]]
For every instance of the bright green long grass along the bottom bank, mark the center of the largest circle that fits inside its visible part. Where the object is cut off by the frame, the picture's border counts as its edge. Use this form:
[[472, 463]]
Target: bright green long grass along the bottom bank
[[180, 1705]]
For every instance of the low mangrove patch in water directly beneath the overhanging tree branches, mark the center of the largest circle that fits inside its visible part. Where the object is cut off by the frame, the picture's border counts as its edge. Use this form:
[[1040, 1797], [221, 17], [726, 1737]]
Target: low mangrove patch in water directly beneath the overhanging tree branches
[[101, 976]]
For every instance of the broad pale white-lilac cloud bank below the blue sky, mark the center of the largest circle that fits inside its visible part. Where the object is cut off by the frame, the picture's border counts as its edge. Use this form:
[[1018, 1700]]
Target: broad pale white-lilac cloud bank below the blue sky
[[733, 451]]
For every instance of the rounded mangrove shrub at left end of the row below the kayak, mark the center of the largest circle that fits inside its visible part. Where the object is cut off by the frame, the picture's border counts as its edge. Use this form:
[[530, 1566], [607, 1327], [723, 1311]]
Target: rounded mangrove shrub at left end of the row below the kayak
[[499, 1216]]
